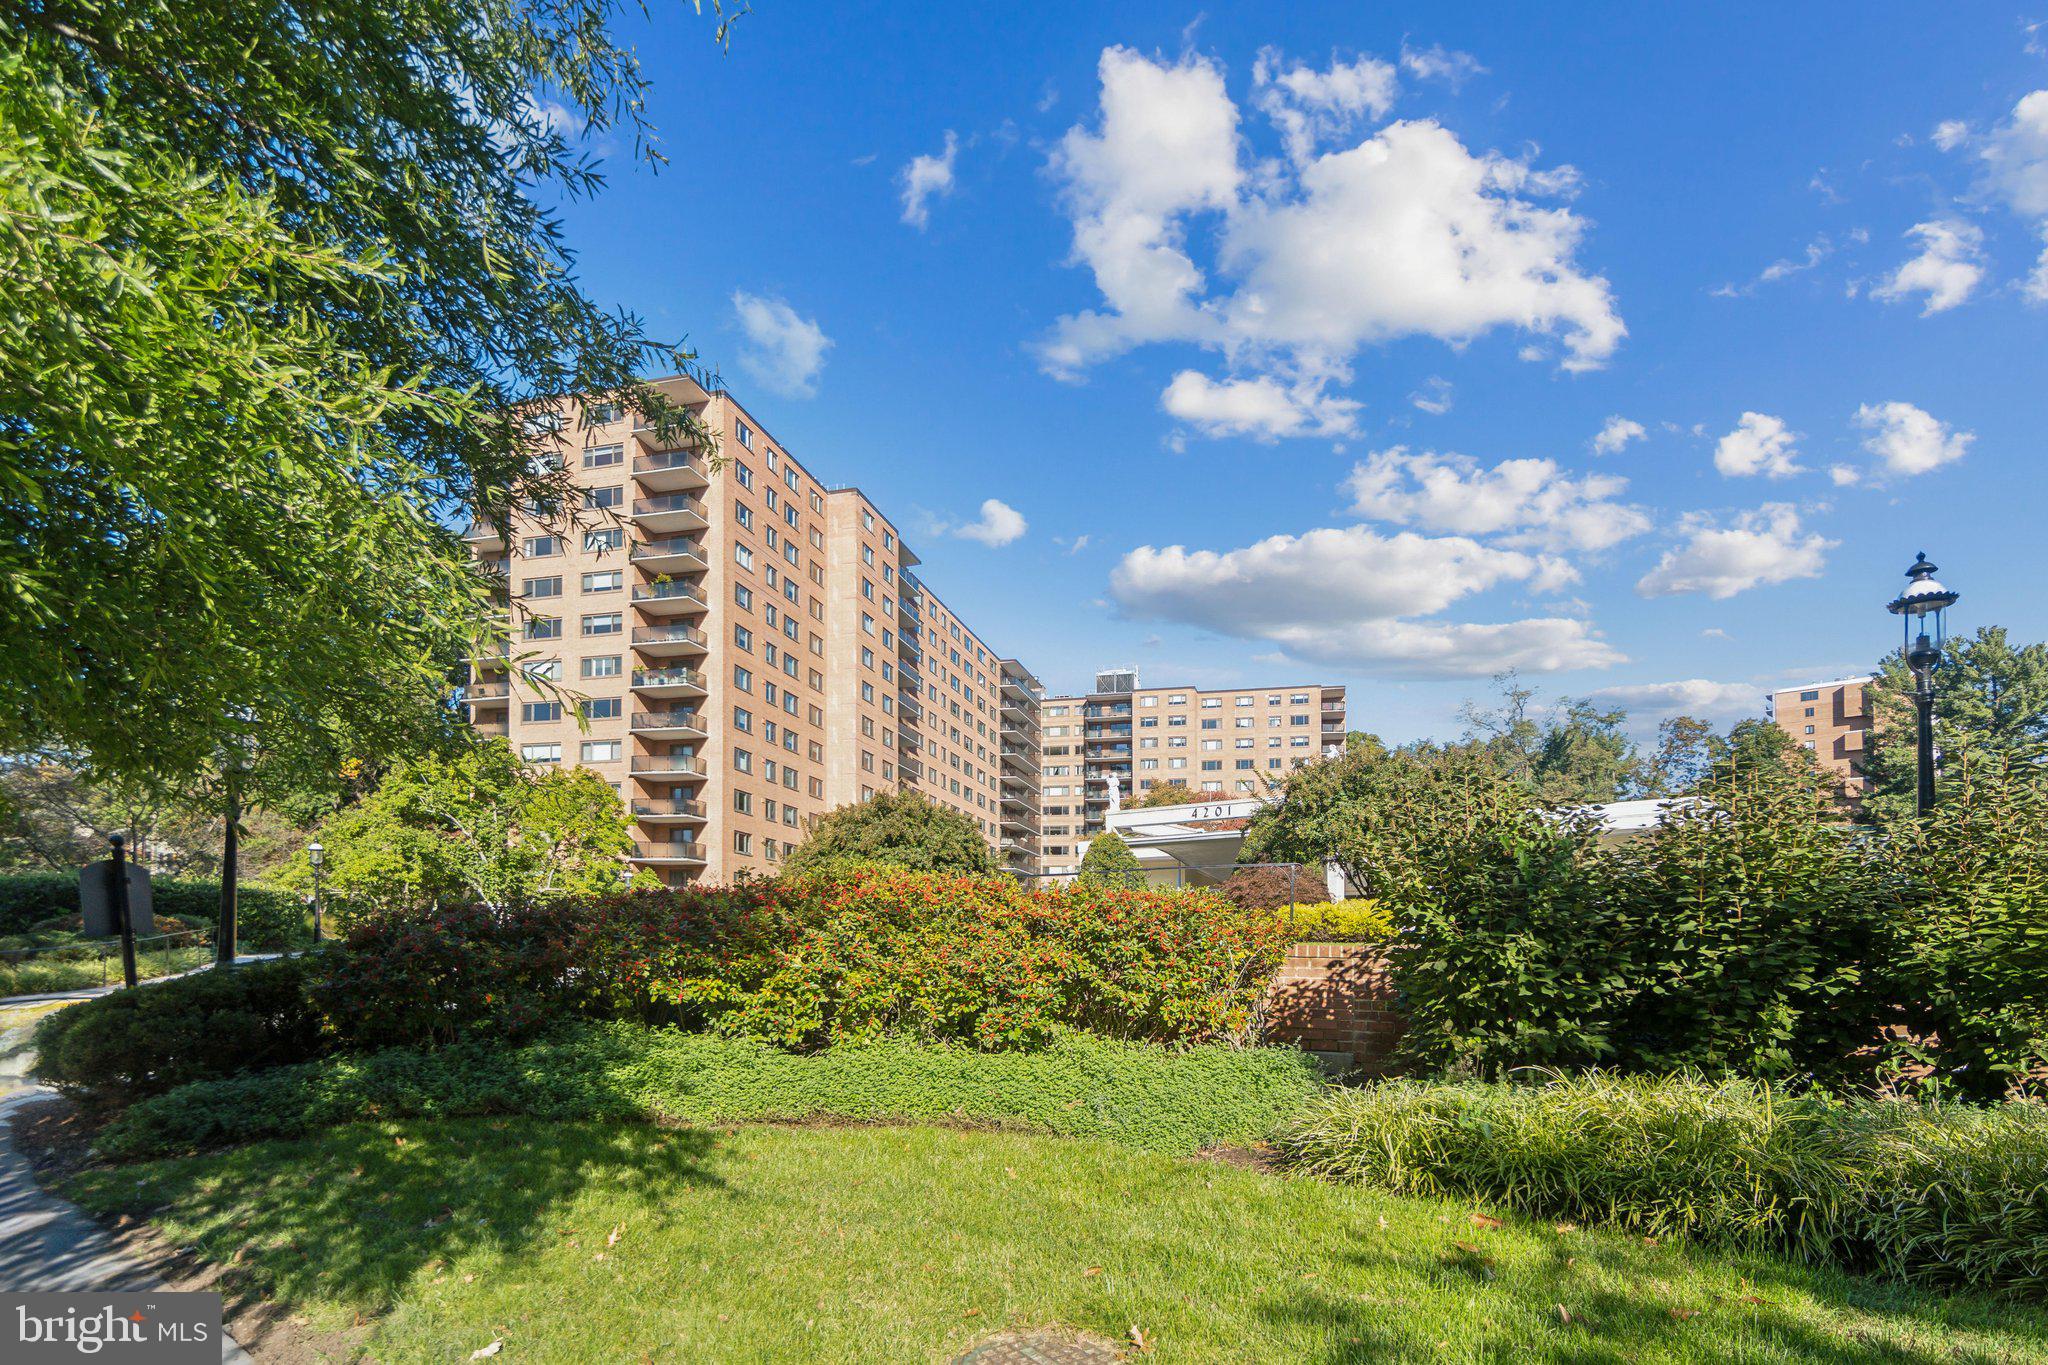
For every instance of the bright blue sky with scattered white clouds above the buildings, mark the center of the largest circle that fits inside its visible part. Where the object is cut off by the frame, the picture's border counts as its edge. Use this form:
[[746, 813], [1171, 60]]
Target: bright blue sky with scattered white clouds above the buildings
[[1283, 339]]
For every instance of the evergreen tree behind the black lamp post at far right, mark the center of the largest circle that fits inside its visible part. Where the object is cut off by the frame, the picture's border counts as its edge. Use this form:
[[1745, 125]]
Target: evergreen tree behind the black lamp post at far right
[[1992, 701]]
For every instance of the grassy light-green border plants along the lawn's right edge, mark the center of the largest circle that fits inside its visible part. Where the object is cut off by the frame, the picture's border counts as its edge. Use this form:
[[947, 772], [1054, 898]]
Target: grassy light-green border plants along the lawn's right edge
[[1934, 1194]]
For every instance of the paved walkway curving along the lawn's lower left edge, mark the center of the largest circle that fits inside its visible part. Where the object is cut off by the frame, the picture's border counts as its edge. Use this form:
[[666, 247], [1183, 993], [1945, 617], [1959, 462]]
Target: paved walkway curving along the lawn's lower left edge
[[48, 1243]]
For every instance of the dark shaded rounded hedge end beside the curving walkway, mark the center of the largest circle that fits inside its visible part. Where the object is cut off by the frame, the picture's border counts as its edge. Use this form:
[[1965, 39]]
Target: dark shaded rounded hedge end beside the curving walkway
[[196, 1028]]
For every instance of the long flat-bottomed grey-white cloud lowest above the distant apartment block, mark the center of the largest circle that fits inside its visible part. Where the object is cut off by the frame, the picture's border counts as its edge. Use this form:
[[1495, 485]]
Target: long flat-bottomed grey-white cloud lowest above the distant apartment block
[[1351, 597]]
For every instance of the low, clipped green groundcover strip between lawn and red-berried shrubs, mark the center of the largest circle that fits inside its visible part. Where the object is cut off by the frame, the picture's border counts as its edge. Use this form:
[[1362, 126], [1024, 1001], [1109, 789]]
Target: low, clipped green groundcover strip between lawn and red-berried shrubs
[[1089, 1088]]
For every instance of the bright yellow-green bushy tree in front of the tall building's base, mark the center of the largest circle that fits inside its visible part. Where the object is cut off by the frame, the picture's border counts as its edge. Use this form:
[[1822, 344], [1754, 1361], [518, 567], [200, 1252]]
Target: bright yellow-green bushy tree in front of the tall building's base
[[476, 828]]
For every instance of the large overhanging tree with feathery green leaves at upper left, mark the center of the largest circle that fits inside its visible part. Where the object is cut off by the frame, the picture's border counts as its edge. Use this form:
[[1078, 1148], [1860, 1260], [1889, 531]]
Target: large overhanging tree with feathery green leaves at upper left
[[280, 294]]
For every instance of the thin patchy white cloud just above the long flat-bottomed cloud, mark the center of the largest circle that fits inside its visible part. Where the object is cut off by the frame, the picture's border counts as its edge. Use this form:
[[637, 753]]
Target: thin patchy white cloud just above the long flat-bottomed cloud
[[1529, 502]]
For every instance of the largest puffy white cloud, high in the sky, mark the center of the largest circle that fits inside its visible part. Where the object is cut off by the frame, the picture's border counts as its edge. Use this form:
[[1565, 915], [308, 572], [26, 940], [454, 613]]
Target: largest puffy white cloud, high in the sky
[[1402, 234]]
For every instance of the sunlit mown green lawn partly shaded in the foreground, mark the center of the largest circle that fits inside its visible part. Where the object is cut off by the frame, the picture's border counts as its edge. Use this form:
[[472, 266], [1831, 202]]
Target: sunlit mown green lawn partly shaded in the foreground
[[912, 1243]]
